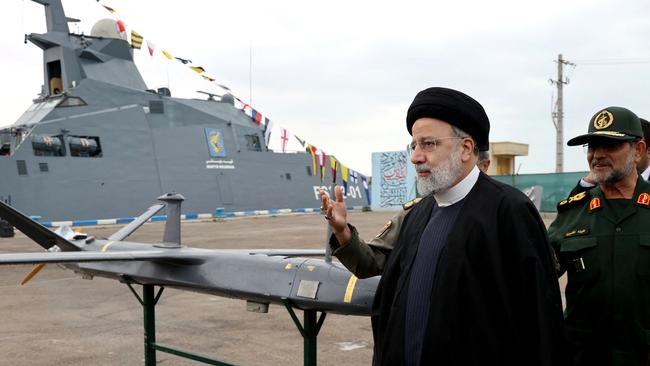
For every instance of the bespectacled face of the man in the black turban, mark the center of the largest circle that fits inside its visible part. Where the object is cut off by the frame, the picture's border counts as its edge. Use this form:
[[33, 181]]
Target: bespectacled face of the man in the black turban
[[436, 155]]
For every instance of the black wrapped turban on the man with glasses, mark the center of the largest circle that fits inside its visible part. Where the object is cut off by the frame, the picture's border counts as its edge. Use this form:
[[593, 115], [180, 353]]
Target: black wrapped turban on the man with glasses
[[456, 108]]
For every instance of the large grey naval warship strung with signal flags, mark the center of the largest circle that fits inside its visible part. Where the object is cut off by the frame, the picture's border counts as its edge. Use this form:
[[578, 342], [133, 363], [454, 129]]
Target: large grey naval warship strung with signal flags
[[97, 143]]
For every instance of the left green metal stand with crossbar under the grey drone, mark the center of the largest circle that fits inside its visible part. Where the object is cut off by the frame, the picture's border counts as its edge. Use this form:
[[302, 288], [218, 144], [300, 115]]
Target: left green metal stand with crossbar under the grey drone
[[148, 302]]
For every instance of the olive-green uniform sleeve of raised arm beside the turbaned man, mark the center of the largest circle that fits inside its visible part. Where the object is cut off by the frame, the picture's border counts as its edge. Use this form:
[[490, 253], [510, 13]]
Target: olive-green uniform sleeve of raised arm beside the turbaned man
[[368, 260]]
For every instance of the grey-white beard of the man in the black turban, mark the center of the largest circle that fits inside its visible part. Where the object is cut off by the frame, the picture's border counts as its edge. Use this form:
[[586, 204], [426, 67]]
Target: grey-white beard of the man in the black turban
[[443, 176]]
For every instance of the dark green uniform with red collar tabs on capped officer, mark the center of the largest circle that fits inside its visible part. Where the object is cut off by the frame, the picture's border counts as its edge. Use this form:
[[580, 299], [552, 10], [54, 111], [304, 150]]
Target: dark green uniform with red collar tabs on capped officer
[[604, 245]]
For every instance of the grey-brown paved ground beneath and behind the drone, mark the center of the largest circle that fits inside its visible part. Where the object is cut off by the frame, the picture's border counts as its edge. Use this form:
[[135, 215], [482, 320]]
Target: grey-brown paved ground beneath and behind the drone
[[61, 319]]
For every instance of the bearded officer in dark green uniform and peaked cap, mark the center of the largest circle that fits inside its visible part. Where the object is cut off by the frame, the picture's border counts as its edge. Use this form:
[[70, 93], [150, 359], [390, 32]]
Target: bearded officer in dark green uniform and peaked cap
[[602, 239]]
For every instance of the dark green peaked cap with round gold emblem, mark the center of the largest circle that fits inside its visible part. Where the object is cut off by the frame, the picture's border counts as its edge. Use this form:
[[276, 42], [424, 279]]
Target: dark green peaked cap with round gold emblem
[[615, 123]]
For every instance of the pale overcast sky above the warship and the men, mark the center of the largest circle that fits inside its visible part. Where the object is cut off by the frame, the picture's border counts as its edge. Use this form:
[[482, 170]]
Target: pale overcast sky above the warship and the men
[[341, 74]]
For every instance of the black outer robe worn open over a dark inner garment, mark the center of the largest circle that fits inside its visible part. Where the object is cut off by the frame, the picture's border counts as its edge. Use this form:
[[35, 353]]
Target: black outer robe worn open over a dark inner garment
[[495, 299]]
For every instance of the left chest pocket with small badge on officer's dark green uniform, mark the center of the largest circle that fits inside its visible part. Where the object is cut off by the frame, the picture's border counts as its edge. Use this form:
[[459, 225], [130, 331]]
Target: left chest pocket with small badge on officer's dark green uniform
[[580, 258]]
